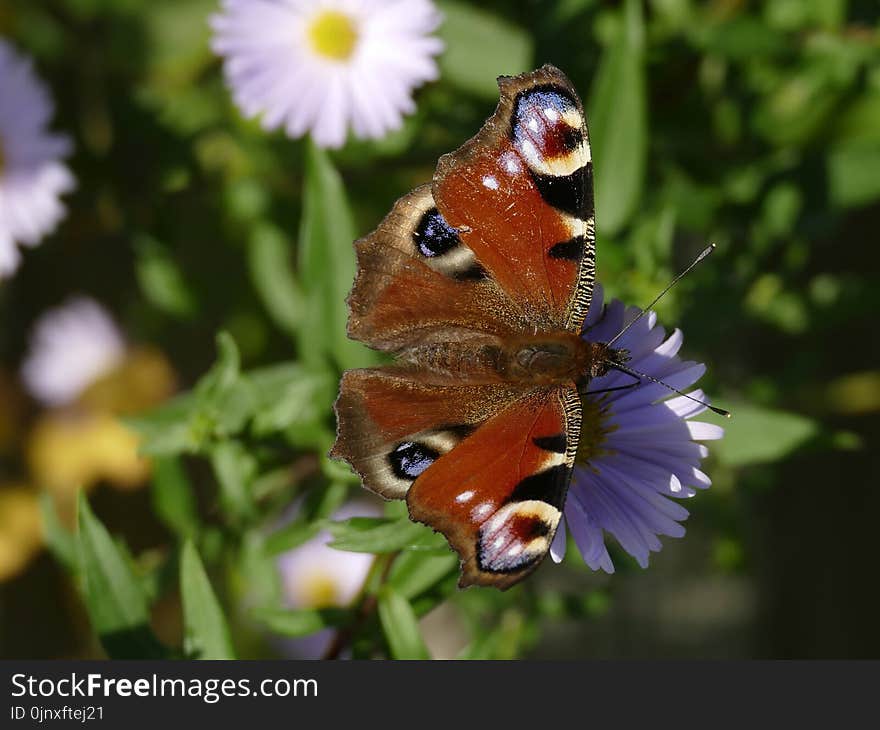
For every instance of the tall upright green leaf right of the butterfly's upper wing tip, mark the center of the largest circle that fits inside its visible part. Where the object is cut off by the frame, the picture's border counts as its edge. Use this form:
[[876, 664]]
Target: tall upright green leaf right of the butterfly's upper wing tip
[[618, 124]]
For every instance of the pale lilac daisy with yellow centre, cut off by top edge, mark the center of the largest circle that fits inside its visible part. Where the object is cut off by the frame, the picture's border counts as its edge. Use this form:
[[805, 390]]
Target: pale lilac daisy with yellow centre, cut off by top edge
[[322, 66]]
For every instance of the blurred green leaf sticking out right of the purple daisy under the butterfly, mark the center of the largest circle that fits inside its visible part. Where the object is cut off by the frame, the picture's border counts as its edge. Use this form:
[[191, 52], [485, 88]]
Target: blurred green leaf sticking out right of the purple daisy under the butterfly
[[757, 435]]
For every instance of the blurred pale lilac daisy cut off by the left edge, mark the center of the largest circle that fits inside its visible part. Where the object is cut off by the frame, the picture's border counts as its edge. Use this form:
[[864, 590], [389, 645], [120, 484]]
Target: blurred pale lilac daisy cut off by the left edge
[[32, 176]]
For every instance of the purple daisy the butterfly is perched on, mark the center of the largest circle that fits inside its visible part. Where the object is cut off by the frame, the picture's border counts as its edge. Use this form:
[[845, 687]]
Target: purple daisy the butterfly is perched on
[[638, 449]]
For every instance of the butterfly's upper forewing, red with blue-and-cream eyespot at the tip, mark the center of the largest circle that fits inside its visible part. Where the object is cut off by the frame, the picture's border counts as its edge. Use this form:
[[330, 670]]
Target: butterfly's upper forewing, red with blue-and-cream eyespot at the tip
[[521, 194]]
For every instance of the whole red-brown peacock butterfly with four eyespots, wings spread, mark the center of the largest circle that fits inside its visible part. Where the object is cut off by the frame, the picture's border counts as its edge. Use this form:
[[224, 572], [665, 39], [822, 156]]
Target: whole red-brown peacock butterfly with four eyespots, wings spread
[[479, 284]]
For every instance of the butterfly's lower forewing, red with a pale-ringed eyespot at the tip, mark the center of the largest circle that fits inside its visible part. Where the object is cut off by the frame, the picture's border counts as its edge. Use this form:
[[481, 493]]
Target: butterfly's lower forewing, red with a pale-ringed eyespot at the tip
[[498, 495]]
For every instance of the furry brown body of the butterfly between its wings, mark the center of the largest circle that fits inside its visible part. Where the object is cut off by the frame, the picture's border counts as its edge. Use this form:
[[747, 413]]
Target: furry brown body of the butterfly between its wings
[[539, 359]]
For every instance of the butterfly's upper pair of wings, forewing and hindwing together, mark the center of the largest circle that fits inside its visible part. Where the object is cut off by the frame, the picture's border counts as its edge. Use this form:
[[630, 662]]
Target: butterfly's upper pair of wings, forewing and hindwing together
[[502, 242]]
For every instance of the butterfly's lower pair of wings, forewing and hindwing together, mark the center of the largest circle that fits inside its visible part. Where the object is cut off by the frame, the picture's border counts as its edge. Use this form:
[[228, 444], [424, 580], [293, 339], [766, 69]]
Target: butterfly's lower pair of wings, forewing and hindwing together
[[486, 465]]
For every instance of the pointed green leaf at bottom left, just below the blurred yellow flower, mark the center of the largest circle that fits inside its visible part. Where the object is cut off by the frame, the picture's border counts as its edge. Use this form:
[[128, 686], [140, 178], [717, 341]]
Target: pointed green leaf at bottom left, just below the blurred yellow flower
[[113, 595]]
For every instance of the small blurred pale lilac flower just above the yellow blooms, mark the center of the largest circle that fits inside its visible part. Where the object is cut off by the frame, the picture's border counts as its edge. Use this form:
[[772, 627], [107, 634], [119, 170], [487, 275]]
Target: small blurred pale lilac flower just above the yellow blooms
[[71, 347]]
